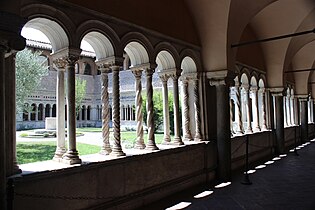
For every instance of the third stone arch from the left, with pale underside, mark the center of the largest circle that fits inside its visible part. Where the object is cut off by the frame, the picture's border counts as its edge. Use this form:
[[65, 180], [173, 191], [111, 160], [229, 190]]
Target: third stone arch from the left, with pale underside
[[138, 48]]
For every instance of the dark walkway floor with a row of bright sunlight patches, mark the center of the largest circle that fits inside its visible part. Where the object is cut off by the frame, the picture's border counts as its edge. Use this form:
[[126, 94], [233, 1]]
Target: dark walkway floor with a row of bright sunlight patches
[[286, 182]]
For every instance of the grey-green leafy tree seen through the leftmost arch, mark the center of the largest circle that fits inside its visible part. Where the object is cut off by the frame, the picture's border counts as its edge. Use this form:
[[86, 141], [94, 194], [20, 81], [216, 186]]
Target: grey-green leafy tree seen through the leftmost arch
[[30, 69]]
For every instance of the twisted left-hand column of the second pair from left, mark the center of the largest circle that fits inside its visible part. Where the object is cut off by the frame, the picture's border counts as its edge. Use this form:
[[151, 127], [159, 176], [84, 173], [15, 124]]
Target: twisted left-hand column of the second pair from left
[[106, 149]]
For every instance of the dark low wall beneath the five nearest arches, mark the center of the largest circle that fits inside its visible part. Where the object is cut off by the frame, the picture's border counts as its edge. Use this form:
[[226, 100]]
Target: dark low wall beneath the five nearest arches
[[126, 183]]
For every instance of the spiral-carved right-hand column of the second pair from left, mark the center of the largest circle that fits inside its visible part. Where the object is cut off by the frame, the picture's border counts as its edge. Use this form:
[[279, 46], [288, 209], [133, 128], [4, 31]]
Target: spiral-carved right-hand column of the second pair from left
[[116, 149]]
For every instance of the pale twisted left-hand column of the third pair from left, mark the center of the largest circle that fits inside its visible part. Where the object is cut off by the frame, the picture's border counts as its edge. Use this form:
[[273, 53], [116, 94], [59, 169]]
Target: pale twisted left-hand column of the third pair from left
[[138, 102]]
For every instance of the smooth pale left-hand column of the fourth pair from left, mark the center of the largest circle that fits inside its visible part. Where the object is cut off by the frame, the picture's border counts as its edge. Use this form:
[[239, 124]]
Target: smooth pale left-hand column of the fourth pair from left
[[166, 118]]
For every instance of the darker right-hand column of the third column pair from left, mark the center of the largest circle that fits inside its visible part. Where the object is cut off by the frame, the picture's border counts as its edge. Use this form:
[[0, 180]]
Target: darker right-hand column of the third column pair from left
[[150, 120]]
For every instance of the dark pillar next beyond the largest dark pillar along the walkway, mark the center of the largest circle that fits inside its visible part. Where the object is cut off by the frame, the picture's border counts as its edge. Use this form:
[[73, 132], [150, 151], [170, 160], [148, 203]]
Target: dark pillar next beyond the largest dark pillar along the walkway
[[279, 120]]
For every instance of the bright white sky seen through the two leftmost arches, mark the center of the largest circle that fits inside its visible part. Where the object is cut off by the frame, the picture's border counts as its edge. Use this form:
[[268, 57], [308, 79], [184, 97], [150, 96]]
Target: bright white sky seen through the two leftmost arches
[[34, 34]]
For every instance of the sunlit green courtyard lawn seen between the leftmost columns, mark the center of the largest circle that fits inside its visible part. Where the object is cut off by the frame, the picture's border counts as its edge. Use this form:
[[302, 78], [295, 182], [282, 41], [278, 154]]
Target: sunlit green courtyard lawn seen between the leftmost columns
[[29, 152]]
